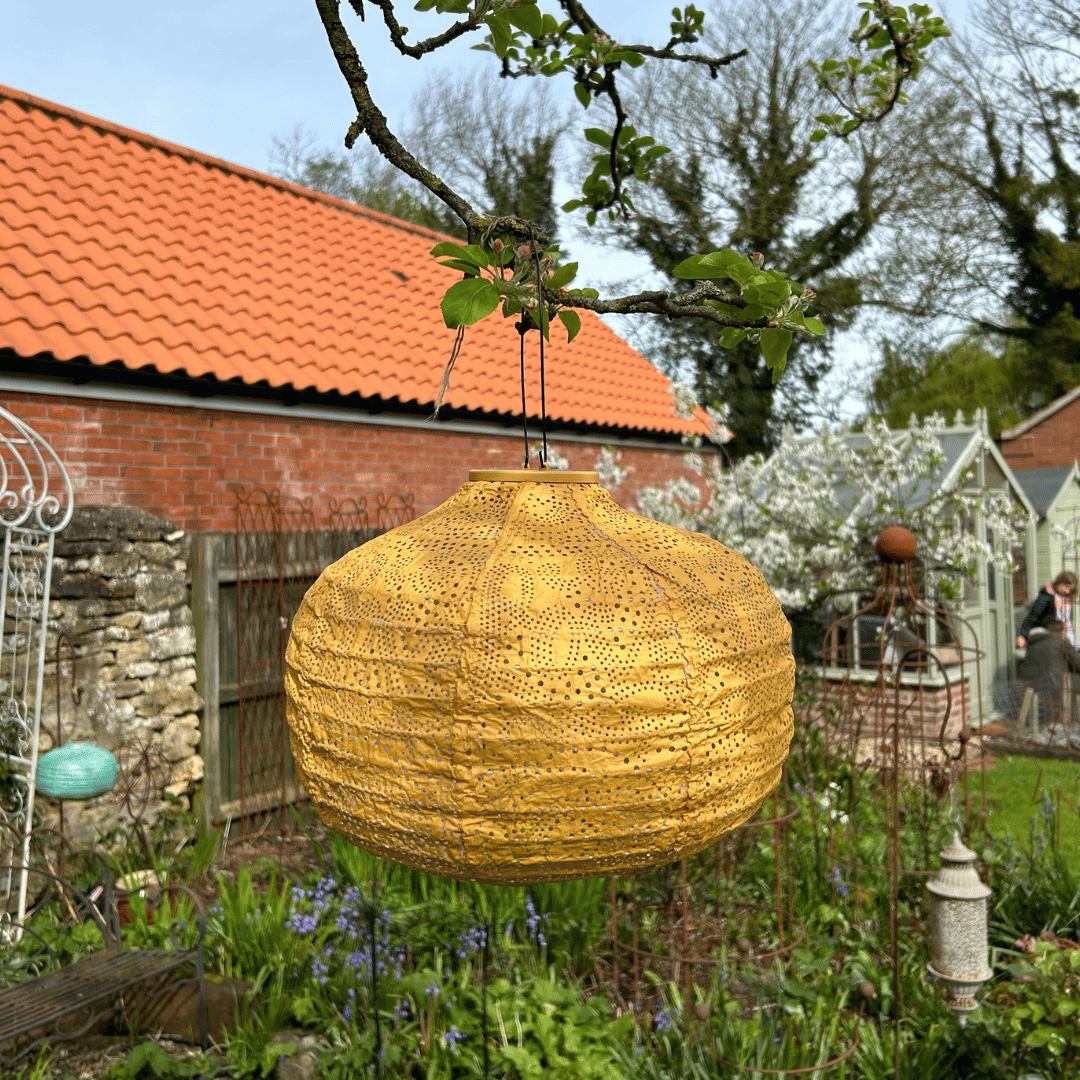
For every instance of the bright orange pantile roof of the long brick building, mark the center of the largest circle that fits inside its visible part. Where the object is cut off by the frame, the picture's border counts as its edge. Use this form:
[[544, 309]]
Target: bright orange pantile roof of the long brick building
[[117, 247]]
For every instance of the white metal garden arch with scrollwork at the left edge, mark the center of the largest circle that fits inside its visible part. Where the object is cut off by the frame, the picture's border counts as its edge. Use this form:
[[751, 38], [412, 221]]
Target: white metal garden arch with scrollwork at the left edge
[[36, 503]]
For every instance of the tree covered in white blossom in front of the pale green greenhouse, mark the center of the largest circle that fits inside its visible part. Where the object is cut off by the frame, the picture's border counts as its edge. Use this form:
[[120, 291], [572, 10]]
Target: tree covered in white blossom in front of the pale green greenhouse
[[809, 516]]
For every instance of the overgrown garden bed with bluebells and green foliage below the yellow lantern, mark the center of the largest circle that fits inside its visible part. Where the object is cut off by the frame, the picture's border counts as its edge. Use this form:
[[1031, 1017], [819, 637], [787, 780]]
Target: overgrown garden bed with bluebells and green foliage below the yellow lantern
[[516, 983]]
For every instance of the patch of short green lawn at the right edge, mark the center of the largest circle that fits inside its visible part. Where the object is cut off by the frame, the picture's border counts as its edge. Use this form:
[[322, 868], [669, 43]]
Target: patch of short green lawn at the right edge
[[1015, 790]]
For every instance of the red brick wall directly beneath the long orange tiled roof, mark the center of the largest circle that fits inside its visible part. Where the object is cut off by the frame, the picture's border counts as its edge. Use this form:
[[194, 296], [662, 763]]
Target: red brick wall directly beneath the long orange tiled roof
[[183, 463]]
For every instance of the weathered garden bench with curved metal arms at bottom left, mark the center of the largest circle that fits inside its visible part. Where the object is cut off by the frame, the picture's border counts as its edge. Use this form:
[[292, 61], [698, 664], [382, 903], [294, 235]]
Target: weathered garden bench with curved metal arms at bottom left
[[64, 1003]]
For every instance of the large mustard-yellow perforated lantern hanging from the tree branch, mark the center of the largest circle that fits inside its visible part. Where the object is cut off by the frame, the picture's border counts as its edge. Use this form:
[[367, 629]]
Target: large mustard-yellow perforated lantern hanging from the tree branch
[[532, 684]]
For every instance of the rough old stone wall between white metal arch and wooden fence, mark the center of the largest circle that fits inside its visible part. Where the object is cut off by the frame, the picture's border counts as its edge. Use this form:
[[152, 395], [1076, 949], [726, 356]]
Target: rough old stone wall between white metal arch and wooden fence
[[120, 599]]
